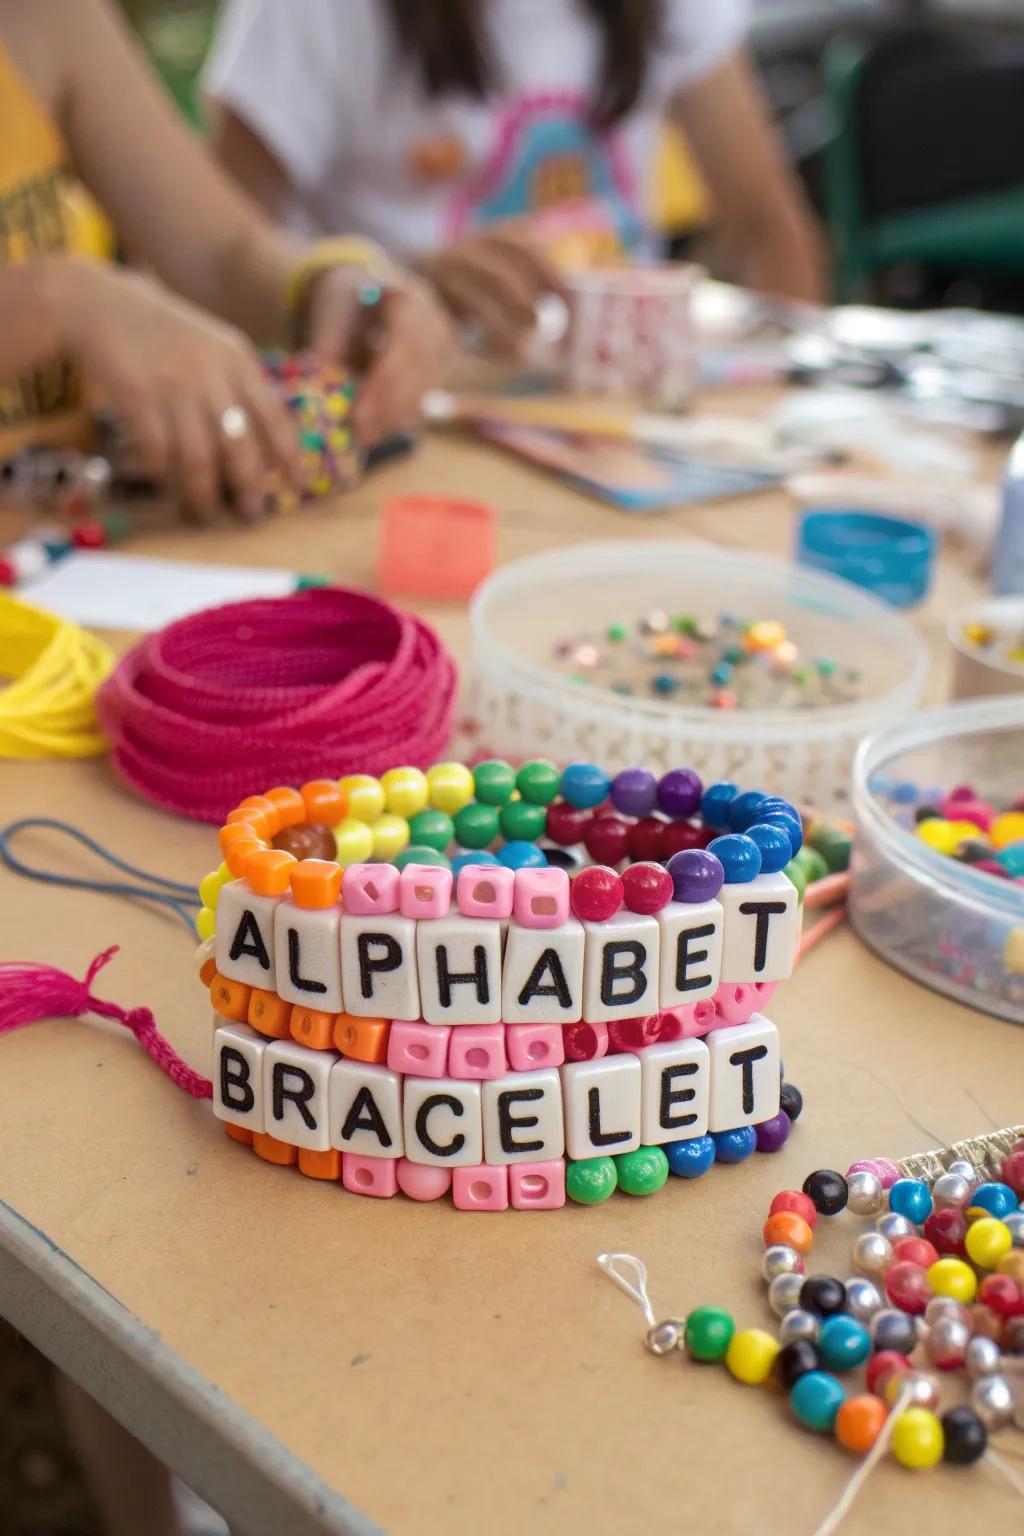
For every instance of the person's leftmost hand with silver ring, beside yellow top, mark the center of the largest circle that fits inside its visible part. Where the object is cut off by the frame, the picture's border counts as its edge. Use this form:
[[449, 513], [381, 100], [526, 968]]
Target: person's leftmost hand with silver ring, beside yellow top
[[190, 389]]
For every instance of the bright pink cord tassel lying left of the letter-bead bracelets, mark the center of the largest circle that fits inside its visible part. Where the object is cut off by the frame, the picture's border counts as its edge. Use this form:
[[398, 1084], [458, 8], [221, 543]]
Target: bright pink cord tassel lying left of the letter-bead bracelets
[[39, 991]]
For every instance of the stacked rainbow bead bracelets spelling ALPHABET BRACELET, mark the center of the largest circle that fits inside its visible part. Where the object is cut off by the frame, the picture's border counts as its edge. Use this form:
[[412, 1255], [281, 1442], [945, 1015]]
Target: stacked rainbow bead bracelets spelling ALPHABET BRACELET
[[398, 1019]]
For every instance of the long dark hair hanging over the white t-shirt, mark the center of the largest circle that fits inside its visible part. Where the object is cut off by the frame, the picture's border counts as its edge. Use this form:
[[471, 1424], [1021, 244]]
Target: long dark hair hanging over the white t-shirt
[[444, 39]]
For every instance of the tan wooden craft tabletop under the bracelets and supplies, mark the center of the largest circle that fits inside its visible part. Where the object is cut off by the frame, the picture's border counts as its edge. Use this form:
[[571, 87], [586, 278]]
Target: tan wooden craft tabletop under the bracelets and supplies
[[315, 1362]]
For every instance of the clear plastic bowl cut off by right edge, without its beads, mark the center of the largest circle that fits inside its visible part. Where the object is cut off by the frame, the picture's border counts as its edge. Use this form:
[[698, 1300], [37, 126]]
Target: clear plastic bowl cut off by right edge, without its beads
[[942, 922]]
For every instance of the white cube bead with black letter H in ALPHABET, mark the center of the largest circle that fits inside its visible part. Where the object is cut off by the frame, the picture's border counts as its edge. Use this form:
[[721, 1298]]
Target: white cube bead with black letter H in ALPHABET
[[460, 972]]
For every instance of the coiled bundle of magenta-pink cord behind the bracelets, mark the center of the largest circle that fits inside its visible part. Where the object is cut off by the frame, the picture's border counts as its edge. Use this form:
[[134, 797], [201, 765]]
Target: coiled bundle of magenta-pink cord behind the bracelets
[[279, 690]]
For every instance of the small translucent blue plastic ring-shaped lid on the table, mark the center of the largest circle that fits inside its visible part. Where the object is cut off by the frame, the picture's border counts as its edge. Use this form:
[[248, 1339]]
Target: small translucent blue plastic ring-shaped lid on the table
[[890, 557]]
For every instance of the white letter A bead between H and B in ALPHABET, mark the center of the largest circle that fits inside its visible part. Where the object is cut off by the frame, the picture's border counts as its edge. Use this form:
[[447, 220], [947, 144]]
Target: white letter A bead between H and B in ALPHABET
[[543, 981]]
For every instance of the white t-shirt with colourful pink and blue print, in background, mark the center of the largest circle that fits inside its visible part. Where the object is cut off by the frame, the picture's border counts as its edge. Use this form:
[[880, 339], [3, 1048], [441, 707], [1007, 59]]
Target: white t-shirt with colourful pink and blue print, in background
[[325, 87]]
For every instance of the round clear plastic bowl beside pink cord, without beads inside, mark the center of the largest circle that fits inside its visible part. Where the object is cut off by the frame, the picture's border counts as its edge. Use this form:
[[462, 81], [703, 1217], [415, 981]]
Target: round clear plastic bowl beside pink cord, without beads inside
[[524, 707]]
